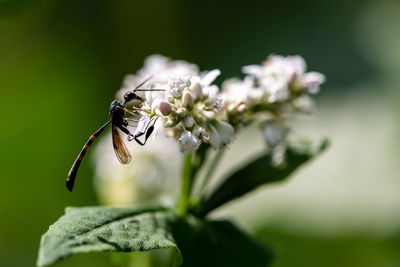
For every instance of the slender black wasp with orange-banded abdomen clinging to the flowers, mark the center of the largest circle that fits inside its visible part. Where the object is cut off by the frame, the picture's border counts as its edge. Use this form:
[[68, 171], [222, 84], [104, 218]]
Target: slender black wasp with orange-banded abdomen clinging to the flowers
[[119, 122]]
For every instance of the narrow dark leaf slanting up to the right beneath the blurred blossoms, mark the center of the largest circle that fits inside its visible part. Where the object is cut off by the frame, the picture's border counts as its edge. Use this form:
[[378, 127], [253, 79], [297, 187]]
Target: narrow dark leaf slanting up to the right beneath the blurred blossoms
[[259, 172]]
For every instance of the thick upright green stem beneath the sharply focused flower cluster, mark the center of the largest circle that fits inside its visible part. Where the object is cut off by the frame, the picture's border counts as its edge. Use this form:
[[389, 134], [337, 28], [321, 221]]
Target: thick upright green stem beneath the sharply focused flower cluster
[[187, 181]]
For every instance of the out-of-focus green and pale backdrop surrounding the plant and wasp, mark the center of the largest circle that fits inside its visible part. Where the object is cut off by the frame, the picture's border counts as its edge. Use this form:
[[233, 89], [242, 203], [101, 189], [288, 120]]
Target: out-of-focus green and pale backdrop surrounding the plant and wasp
[[61, 63]]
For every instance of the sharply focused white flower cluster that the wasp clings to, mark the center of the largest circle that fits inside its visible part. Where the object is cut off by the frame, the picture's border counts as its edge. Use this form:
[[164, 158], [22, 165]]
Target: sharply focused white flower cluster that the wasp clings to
[[188, 106]]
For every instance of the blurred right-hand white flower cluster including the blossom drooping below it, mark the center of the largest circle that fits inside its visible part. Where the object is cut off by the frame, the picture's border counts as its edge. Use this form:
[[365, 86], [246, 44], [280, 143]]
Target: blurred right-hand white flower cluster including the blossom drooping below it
[[272, 88]]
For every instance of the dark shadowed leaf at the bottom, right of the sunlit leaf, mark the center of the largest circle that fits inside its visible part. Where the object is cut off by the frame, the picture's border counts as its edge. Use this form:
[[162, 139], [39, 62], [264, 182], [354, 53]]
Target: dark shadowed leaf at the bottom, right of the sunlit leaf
[[216, 244]]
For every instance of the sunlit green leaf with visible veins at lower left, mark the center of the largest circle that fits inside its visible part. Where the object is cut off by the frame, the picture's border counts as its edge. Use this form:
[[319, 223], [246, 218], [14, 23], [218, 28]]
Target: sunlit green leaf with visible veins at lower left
[[101, 229]]
